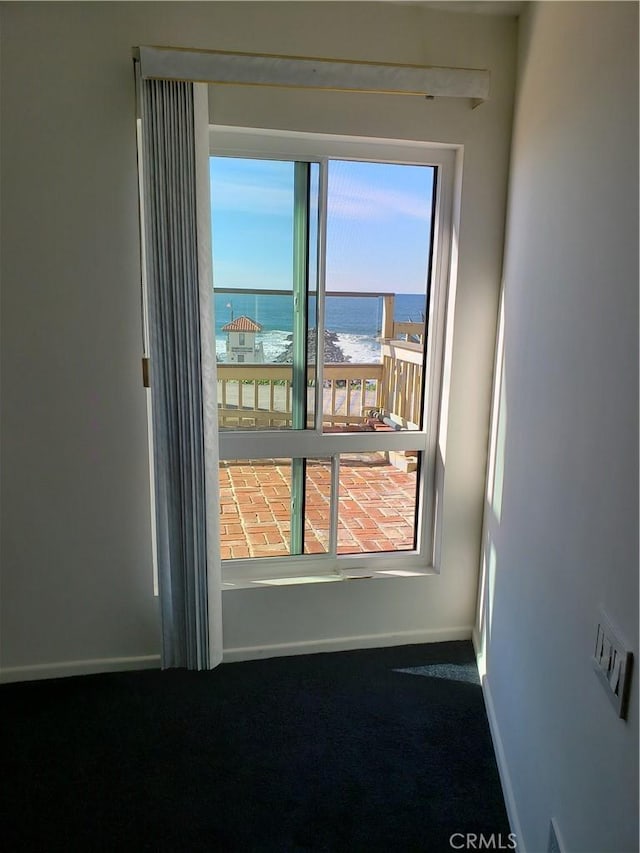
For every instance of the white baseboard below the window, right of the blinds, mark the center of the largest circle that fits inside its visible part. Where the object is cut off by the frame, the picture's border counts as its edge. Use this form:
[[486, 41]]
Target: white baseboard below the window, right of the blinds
[[345, 644]]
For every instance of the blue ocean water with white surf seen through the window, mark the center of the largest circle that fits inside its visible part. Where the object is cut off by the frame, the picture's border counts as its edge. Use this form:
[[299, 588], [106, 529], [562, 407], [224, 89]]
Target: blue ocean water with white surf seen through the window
[[357, 321]]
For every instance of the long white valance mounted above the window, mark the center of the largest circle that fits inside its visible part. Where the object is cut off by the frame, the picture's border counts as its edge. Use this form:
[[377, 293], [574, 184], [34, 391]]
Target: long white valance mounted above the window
[[217, 66]]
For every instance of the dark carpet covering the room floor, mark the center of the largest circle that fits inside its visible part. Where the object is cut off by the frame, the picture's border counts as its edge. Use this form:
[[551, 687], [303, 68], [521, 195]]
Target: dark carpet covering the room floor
[[377, 750]]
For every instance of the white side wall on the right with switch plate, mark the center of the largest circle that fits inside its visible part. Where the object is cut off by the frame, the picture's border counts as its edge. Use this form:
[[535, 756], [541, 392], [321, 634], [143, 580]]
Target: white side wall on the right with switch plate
[[562, 514]]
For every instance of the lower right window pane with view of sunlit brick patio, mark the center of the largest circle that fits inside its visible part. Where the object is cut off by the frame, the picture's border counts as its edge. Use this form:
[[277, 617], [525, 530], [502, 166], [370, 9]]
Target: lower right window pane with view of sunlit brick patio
[[377, 502]]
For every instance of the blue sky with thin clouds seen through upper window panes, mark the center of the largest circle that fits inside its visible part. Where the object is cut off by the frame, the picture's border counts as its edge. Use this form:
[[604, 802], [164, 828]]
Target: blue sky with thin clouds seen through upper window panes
[[378, 225]]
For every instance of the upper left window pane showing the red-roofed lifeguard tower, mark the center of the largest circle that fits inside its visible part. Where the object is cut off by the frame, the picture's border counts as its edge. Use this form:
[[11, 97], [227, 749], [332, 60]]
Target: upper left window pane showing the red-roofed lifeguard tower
[[259, 232]]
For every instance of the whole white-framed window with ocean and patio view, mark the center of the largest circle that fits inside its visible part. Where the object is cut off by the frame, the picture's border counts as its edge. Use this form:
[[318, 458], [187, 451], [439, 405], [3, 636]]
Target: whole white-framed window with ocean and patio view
[[335, 252]]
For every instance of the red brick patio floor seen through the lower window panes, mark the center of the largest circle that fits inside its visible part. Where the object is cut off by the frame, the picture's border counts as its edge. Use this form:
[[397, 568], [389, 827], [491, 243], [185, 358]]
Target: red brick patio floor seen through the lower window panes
[[376, 507]]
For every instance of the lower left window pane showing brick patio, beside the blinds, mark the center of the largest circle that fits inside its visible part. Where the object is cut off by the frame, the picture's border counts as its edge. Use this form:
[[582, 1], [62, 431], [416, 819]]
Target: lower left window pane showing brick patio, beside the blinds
[[255, 508]]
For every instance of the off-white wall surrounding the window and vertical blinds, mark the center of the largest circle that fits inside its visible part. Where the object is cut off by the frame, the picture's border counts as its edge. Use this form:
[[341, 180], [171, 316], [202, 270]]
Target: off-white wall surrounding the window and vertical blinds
[[76, 532]]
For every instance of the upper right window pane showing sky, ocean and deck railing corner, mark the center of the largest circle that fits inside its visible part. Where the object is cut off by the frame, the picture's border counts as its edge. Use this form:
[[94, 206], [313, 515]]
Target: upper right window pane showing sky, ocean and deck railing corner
[[378, 267]]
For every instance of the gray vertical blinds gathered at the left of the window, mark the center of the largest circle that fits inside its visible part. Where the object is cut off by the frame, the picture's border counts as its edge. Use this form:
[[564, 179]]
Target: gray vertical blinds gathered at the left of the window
[[176, 233]]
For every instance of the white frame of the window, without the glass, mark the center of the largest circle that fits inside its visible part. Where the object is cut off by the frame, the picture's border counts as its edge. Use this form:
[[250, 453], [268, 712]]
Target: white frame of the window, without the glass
[[270, 144]]
